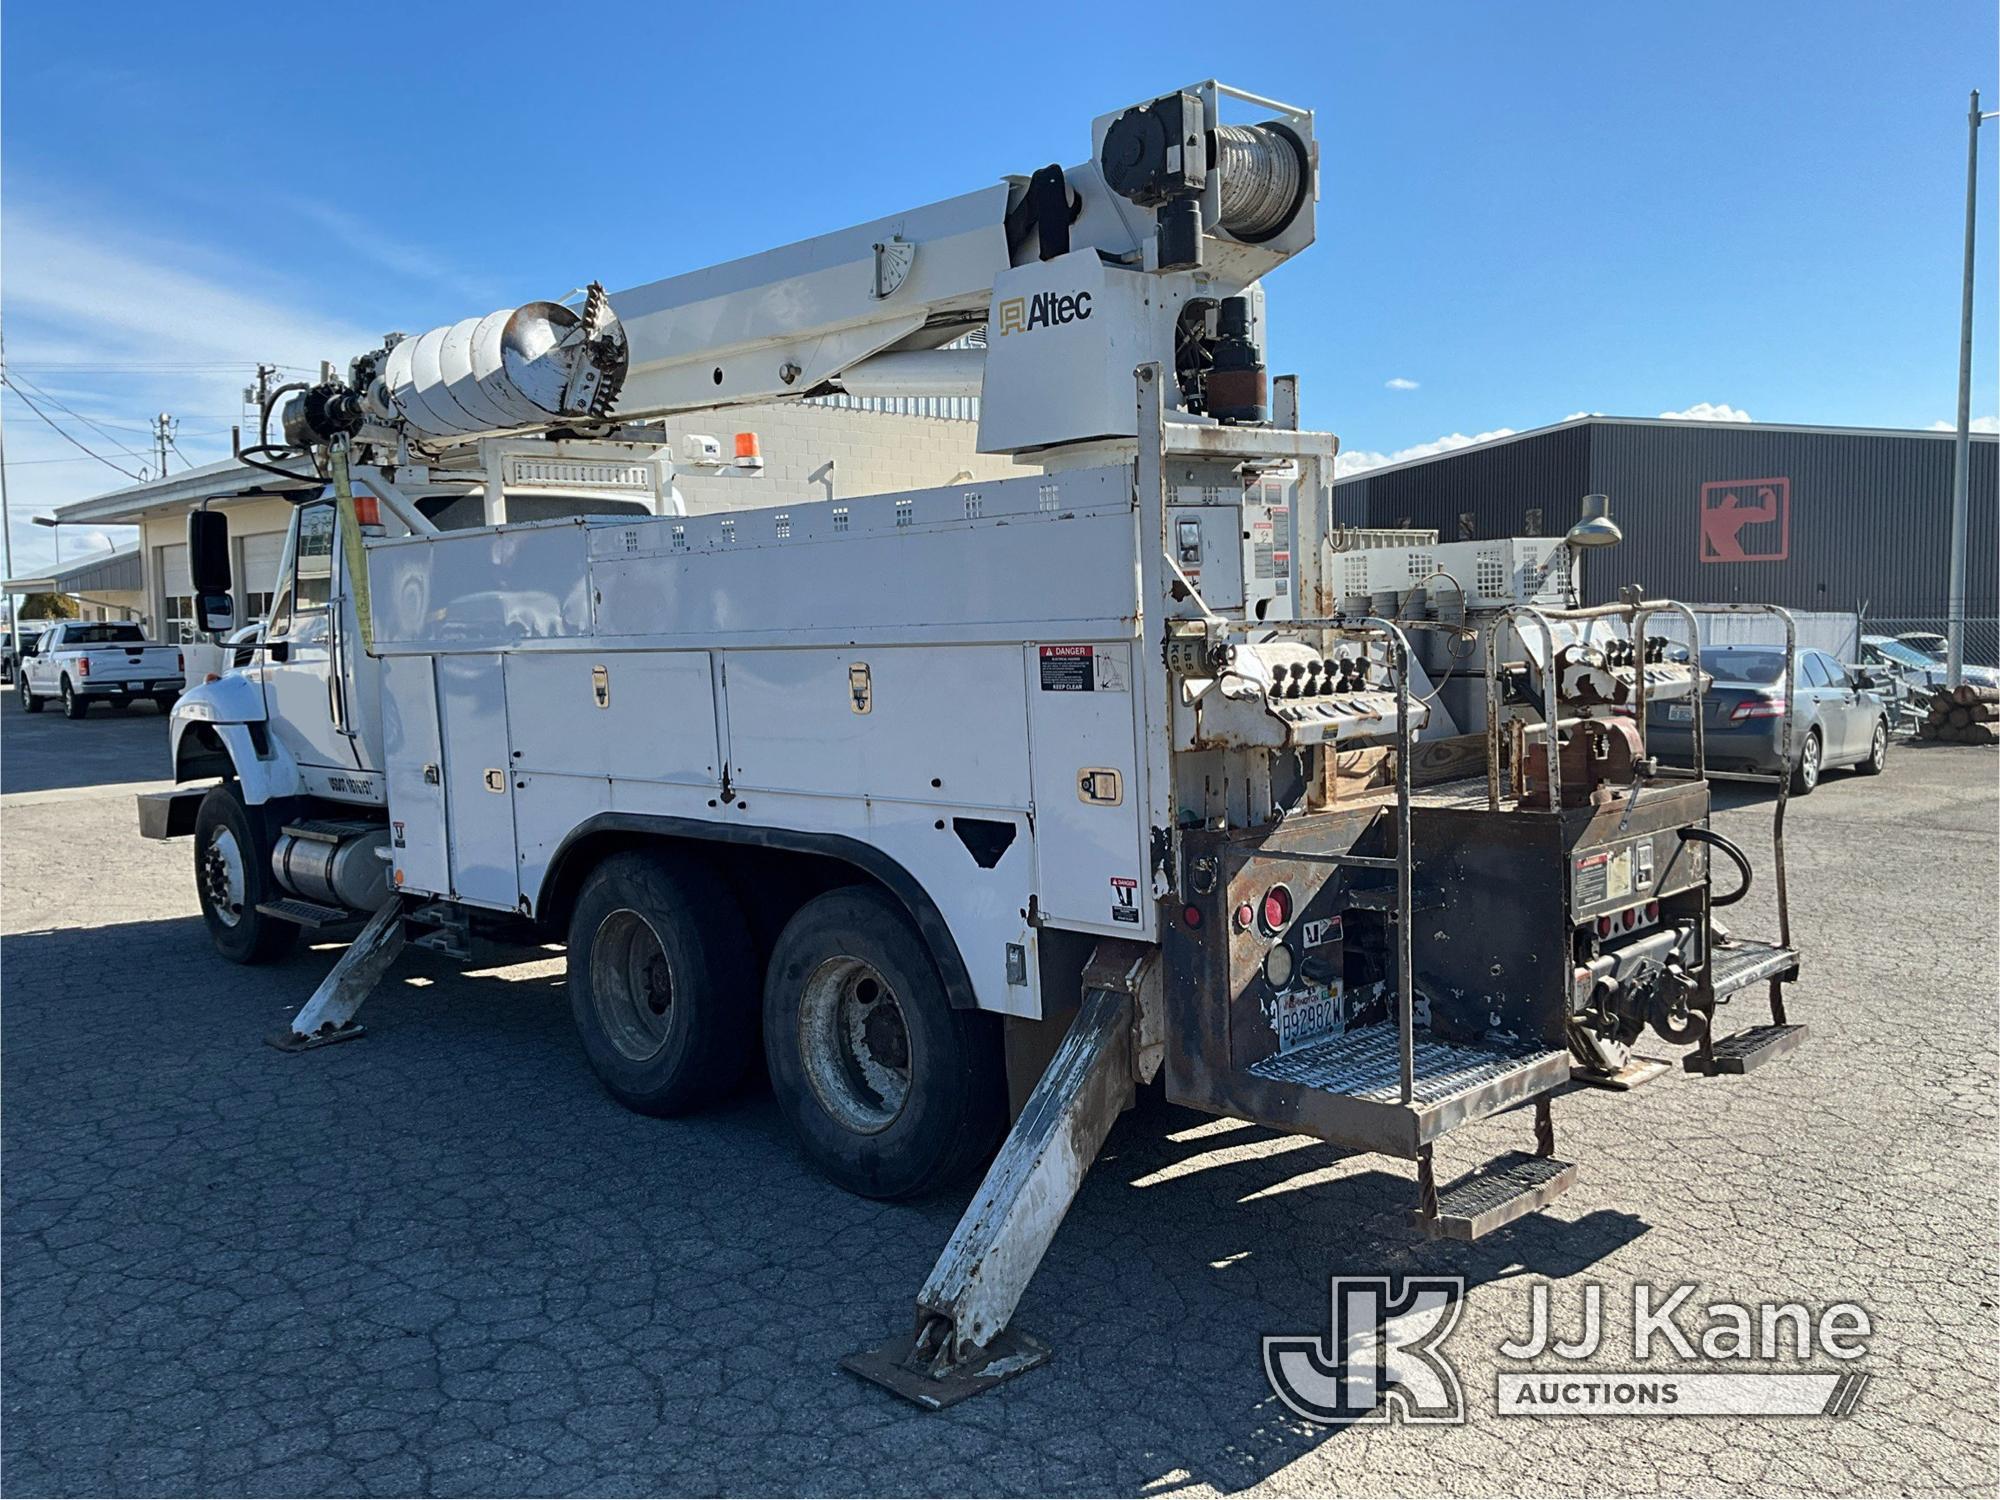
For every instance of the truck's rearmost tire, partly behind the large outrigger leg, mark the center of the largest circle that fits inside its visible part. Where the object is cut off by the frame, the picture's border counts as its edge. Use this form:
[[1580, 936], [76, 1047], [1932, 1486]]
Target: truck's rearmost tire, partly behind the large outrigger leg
[[887, 1103]]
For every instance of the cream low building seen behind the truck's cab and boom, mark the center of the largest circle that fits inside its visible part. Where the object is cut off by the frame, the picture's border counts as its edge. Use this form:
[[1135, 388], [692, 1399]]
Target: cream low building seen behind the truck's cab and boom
[[813, 451]]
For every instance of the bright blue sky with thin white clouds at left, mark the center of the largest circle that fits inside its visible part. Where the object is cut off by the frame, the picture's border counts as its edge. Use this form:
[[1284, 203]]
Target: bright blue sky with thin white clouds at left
[[1527, 209]]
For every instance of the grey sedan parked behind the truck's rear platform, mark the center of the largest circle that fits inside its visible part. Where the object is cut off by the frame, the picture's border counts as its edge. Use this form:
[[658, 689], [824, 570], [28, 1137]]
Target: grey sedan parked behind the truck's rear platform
[[1839, 717]]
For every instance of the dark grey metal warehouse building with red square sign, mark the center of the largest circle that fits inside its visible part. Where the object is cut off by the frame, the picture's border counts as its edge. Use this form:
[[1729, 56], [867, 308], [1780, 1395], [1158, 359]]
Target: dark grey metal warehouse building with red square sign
[[1811, 519]]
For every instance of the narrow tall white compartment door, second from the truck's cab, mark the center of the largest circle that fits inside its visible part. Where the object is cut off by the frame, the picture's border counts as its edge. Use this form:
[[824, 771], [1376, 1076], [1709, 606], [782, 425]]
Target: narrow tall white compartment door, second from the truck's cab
[[479, 783]]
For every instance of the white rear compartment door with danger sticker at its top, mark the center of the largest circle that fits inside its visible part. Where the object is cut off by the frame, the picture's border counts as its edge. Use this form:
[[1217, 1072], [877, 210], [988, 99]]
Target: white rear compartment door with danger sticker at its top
[[1089, 827]]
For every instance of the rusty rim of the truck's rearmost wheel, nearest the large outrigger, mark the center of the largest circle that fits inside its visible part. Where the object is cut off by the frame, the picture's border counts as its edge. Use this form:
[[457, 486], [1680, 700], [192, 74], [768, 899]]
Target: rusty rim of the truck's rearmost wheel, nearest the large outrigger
[[855, 1045]]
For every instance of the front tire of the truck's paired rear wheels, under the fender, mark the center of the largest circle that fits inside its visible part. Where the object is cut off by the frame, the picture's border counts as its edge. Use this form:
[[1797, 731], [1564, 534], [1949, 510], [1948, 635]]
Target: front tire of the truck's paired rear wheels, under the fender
[[661, 983]]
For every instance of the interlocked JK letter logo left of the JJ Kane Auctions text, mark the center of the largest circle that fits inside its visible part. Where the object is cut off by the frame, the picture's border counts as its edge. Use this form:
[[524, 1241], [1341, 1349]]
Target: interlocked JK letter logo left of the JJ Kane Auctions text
[[1379, 1357]]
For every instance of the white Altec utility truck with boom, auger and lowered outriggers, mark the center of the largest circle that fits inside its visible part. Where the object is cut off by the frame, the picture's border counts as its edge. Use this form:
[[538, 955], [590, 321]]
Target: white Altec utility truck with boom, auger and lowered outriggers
[[985, 803]]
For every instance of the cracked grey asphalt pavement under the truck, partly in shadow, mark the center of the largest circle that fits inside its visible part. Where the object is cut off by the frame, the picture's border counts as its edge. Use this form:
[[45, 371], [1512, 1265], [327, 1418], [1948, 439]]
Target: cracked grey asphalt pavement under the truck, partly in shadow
[[443, 1261]]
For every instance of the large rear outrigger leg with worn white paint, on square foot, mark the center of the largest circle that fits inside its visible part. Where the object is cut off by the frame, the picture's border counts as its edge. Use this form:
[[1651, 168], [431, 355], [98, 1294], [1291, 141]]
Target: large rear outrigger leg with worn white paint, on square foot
[[963, 1341]]
